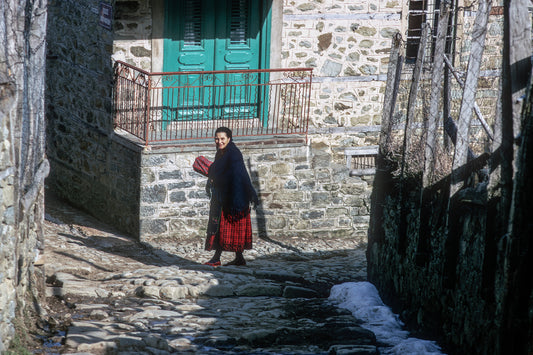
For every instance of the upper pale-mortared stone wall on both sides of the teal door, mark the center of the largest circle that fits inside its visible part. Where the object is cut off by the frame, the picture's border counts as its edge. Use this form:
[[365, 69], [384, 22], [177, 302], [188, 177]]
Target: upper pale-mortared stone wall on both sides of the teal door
[[347, 42]]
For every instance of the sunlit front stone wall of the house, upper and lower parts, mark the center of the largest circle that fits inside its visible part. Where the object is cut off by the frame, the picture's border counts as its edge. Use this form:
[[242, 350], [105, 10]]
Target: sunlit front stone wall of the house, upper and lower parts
[[348, 44]]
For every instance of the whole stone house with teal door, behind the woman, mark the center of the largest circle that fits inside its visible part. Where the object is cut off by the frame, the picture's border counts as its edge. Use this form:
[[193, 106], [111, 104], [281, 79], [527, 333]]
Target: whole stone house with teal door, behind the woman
[[308, 181]]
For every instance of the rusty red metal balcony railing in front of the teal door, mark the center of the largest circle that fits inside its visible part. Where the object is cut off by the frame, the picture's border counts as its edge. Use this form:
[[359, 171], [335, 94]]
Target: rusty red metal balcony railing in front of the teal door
[[166, 107]]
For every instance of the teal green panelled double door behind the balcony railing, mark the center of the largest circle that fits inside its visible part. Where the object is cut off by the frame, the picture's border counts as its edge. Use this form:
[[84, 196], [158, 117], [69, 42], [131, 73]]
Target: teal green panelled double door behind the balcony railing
[[213, 35]]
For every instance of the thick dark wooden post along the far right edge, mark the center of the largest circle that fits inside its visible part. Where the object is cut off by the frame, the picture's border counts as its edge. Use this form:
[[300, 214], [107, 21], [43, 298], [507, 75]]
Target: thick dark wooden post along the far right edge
[[513, 228]]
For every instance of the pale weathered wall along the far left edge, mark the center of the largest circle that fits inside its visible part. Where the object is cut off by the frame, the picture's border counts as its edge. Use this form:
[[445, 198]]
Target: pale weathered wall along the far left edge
[[22, 162]]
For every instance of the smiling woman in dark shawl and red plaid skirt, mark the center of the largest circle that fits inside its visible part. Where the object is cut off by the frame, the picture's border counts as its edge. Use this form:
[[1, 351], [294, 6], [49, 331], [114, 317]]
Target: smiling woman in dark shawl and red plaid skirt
[[231, 191]]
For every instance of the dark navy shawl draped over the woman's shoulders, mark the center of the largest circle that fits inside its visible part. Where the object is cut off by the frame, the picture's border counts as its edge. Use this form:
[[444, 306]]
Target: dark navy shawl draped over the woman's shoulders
[[230, 184]]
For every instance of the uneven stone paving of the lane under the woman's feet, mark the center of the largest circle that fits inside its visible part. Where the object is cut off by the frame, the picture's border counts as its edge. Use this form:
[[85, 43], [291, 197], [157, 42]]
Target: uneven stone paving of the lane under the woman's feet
[[118, 296]]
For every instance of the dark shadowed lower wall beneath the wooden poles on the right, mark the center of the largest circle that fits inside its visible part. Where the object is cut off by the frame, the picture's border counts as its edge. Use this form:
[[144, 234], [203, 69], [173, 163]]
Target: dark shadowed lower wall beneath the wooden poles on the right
[[442, 270]]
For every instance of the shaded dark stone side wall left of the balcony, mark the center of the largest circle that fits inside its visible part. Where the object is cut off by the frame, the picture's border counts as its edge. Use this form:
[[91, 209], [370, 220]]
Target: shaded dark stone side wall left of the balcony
[[90, 167]]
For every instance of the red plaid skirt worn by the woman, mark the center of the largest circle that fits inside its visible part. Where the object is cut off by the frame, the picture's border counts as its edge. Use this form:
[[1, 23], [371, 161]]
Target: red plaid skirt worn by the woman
[[233, 236]]
